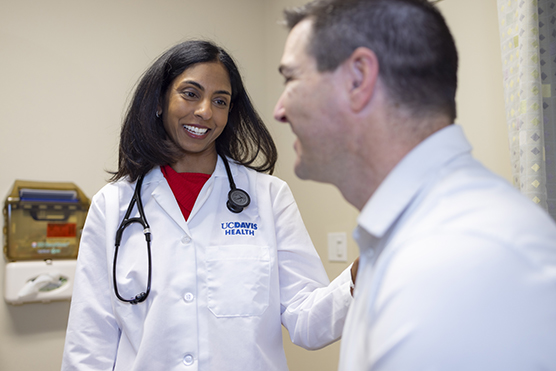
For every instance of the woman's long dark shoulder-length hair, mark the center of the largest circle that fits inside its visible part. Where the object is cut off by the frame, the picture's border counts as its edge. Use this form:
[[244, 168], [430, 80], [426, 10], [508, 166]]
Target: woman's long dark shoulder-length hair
[[143, 139]]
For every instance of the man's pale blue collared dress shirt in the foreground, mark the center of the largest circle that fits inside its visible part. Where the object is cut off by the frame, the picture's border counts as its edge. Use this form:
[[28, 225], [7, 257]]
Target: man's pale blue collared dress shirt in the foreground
[[457, 270]]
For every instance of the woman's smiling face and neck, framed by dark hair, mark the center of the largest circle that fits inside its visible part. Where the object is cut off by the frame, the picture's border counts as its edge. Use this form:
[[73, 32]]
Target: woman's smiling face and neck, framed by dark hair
[[195, 112]]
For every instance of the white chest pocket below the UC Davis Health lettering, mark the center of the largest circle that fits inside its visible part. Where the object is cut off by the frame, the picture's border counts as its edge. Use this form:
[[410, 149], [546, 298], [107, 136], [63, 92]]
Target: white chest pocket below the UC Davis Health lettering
[[238, 279]]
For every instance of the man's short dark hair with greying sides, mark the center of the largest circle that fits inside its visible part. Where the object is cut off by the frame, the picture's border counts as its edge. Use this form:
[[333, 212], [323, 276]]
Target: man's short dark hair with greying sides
[[417, 55]]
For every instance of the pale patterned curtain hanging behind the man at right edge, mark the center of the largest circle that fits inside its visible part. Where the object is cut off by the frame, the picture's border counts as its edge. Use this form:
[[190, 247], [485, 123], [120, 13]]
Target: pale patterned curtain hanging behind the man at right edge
[[528, 43]]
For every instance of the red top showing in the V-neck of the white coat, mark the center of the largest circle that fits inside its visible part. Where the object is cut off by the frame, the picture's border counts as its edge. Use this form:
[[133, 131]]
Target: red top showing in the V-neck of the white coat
[[185, 186]]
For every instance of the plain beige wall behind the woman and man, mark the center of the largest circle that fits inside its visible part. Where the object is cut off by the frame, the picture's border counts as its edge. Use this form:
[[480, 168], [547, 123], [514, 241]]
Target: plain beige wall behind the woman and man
[[67, 68]]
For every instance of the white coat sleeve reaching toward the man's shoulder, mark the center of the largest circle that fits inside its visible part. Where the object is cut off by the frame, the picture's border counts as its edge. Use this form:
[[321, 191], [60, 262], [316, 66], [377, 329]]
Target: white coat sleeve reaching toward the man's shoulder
[[313, 310]]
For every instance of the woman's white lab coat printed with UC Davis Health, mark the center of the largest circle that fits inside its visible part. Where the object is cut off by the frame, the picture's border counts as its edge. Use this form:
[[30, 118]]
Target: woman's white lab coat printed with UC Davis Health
[[222, 283]]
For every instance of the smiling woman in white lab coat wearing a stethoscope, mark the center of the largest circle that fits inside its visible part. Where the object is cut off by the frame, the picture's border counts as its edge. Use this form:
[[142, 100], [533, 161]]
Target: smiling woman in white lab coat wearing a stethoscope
[[193, 257]]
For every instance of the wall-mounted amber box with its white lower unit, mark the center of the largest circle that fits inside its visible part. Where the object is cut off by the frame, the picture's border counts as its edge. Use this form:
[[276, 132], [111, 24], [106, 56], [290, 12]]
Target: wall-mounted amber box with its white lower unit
[[42, 227]]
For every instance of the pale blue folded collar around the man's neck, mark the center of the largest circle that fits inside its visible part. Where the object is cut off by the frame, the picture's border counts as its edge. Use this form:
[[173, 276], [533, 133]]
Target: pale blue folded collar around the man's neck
[[409, 176]]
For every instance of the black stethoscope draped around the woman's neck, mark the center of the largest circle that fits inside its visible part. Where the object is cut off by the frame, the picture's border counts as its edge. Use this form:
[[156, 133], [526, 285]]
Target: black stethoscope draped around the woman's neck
[[238, 200]]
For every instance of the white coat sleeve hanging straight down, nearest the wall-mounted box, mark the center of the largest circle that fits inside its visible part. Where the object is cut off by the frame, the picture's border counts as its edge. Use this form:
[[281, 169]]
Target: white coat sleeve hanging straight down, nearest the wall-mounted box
[[93, 334]]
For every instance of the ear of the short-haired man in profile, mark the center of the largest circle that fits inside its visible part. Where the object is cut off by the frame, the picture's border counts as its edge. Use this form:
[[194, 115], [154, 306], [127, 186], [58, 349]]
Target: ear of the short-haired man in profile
[[362, 71]]
